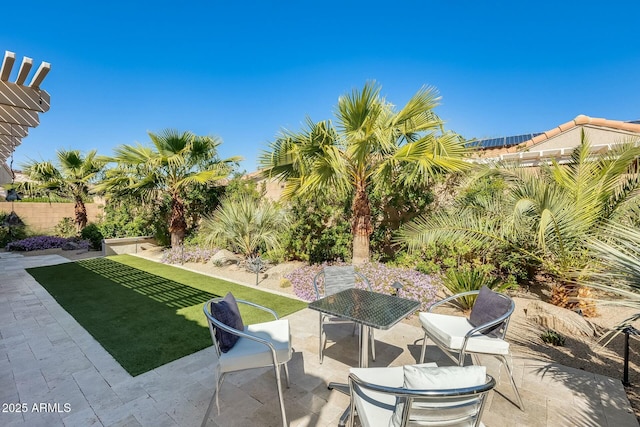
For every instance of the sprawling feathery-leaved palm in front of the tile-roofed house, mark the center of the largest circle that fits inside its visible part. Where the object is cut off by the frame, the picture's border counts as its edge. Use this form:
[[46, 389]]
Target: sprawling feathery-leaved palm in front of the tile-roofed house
[[546, 215]]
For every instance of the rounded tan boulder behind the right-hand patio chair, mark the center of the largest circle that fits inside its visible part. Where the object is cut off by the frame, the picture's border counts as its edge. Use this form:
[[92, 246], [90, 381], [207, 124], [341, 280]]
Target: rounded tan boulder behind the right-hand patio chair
[[562, 320]]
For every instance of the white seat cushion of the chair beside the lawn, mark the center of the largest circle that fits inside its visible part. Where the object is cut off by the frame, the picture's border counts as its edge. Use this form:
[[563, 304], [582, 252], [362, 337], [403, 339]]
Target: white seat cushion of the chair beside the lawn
[[251, 354]]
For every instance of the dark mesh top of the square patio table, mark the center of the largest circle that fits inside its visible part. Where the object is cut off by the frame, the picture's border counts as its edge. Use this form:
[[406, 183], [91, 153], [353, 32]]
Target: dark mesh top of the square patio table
[[373, 309]]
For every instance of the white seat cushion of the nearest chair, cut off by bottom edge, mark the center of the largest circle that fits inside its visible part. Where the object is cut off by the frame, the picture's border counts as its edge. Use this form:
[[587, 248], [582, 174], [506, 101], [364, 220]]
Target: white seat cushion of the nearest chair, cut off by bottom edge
[[376, 409]]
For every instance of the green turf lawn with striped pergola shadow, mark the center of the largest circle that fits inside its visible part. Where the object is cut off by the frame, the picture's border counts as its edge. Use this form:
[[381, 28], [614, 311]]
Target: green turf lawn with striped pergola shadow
[[146, 314]]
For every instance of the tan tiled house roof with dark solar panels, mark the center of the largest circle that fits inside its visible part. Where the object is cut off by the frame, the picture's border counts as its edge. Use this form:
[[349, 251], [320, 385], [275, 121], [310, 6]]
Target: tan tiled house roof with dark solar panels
[[557, 142]]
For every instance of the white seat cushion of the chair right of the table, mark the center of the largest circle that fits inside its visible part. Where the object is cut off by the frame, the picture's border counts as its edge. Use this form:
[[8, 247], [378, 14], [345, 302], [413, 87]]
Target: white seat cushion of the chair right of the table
[[450, 331]]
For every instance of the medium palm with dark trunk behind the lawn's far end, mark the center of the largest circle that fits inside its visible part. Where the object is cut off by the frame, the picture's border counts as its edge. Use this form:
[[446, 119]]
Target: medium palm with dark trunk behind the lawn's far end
[[173, 163]]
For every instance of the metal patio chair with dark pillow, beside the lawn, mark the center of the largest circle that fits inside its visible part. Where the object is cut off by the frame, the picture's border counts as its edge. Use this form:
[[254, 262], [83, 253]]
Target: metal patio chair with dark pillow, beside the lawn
[[252, 346]]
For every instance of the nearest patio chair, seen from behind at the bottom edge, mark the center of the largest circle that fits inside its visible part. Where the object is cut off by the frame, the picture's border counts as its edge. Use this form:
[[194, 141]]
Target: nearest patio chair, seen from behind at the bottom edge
[[422, 395]]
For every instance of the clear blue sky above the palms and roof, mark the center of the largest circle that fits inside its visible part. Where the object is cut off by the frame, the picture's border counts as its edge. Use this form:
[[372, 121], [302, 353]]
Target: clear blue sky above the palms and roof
[[244, 71]]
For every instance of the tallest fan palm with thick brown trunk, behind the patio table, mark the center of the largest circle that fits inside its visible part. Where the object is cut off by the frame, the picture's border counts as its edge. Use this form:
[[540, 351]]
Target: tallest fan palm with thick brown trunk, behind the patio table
[[373, 145]]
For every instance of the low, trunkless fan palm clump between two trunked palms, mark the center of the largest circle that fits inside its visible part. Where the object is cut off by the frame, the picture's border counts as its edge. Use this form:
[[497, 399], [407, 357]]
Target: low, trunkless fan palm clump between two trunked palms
[[245, 224]]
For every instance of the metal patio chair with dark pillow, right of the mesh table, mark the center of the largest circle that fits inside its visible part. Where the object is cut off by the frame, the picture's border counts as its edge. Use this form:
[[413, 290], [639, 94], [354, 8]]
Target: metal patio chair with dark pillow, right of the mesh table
[[482, 333]]
